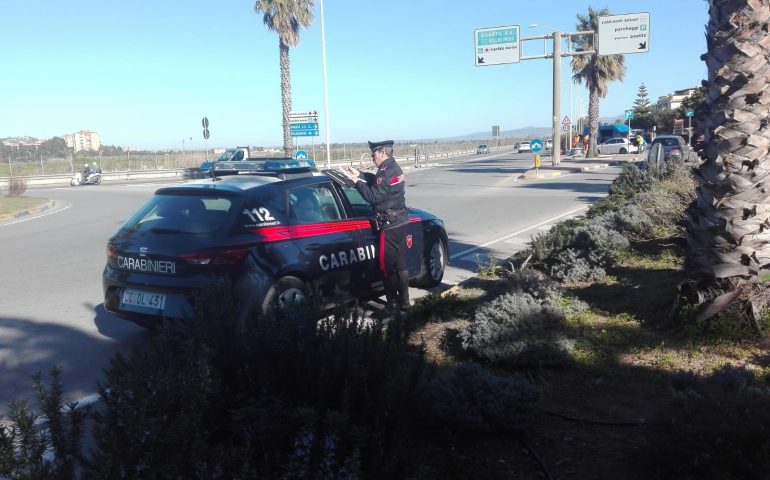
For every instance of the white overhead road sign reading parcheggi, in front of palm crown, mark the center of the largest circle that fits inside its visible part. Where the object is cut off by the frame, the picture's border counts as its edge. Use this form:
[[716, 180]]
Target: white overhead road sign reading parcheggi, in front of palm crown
[[622, 34]]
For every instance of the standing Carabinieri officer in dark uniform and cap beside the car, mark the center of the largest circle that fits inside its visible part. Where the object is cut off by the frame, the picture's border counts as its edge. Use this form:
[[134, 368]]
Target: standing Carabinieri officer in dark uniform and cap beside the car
[[384, 190]]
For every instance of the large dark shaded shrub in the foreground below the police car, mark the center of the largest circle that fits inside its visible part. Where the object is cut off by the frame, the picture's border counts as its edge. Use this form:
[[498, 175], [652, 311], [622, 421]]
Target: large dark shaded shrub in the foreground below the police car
[[283, 397]]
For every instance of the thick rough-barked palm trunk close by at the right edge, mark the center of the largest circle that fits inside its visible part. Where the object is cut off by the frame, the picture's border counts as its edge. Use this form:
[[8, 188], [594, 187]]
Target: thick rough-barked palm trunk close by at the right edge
[[730, 220]]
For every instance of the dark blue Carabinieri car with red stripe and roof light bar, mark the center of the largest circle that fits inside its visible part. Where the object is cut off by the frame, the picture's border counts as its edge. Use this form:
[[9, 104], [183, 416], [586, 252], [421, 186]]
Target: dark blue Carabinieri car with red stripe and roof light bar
[[274, 228]]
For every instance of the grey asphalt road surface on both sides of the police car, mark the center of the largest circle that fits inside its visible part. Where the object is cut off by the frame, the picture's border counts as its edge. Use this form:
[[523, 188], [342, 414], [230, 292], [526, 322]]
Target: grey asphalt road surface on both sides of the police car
[[51, 309]]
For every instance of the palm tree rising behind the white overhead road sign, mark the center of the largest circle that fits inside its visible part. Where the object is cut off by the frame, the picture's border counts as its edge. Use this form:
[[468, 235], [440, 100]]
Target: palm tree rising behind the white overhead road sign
[[594, 70]]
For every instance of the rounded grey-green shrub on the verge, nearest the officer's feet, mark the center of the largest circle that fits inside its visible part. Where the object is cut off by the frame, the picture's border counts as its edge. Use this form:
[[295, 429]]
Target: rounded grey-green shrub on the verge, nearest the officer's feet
[[514, 330]]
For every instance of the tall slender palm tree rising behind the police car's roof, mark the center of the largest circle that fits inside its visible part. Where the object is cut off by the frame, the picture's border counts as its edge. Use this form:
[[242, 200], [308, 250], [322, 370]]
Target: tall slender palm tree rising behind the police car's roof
[[285, 17]]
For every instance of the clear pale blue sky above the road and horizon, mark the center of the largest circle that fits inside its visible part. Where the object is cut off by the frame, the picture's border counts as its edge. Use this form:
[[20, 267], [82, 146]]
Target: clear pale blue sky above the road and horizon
[[143, 73]]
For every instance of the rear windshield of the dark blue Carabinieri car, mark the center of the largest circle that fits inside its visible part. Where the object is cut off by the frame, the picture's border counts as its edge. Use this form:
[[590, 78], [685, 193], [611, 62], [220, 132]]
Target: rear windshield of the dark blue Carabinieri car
[[180, 214]]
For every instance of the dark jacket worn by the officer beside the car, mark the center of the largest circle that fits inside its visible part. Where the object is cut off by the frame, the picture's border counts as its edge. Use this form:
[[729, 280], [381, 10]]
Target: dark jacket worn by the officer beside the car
[[385, 189]]
